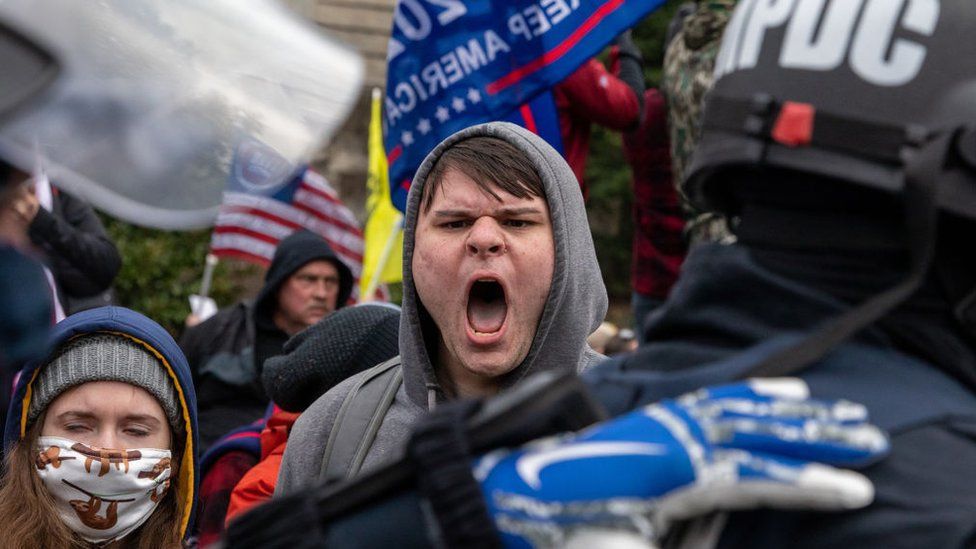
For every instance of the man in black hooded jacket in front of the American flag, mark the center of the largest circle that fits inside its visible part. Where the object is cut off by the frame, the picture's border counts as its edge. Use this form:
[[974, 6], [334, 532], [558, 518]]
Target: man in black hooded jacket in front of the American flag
[[305, 282]]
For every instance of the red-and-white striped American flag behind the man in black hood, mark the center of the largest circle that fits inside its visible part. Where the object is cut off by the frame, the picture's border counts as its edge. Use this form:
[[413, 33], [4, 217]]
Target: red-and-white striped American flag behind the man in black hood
[[250, 224]]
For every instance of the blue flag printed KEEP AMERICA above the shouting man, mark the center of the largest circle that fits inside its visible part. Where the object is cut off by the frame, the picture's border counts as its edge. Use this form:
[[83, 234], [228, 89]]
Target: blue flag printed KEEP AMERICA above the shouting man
[[454, 64]]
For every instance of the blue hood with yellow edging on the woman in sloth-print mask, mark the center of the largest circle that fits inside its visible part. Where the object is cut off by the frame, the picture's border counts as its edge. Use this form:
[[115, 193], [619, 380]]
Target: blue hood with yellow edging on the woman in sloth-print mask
[[151, 337]]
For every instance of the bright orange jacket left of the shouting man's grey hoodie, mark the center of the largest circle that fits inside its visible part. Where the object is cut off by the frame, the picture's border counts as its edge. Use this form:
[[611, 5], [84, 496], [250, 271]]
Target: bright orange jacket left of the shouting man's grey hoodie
[[257, 485]]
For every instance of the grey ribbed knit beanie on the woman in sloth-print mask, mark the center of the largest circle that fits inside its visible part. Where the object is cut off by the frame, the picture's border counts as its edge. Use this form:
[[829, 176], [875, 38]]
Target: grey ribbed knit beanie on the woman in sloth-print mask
[[104, 357]]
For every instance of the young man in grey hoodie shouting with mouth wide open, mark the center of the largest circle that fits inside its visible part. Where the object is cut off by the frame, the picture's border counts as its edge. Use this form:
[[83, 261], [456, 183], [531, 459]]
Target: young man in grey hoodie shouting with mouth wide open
[[500, 281]]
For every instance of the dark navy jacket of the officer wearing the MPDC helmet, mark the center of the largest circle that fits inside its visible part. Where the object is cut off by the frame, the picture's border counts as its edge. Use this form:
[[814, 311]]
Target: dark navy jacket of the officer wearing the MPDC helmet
[[727, 313]]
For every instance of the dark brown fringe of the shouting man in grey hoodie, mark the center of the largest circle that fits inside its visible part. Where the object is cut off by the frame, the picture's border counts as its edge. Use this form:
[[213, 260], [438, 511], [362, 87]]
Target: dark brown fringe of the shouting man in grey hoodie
[[492, 163]]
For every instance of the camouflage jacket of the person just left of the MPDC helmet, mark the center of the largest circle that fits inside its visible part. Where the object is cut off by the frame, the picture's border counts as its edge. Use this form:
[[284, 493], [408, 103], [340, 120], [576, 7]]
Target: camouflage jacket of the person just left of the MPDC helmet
[[688, 76]]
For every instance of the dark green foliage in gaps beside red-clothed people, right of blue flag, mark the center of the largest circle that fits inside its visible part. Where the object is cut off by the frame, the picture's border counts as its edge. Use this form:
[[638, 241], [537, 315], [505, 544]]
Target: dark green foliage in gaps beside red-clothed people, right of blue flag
[[609, 176]]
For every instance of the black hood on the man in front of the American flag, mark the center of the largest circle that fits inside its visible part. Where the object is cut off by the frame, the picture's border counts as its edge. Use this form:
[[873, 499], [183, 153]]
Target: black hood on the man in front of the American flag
[[293, 253]]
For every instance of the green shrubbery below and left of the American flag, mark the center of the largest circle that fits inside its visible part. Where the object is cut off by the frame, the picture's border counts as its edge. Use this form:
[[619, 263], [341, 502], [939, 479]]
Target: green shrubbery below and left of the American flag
[[160, 269]]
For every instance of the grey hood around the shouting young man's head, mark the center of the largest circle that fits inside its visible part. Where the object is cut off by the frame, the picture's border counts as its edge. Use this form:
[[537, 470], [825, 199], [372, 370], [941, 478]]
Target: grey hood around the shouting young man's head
[[577, 300]]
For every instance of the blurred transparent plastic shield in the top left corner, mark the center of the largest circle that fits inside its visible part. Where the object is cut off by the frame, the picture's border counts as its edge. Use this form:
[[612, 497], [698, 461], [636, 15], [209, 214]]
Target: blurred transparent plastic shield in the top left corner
[[157, 101]]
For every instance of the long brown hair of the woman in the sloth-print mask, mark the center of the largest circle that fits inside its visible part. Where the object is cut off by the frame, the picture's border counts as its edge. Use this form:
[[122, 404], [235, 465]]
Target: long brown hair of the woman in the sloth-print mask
[[30, 520]]
